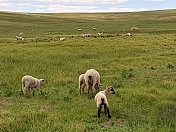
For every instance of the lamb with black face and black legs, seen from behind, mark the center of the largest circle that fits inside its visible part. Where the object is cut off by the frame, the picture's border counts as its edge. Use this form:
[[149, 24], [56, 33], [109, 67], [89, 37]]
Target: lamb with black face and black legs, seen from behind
[[101, 99]]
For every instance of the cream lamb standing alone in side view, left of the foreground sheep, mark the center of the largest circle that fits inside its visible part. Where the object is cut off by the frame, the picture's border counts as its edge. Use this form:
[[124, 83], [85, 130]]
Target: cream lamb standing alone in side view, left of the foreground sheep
[[31, 82]]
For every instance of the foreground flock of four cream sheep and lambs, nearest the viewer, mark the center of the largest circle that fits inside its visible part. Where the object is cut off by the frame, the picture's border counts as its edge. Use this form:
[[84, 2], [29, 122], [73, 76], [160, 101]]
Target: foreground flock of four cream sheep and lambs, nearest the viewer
[[91, 79]]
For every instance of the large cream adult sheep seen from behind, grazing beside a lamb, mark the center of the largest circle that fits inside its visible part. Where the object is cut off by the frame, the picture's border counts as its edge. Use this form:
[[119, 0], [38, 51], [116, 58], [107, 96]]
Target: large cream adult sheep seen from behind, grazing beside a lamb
[[92, 80]]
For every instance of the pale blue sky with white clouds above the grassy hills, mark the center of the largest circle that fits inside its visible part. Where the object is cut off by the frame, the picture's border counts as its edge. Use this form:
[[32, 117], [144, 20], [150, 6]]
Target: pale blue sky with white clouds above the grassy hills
[[67, 6]]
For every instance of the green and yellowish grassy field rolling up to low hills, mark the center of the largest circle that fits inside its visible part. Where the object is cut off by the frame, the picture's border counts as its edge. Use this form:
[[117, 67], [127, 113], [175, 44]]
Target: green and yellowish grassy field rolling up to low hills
[[141, 69]]
